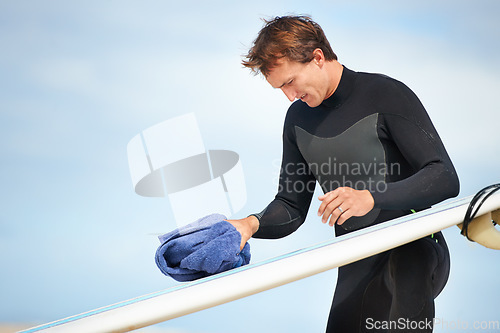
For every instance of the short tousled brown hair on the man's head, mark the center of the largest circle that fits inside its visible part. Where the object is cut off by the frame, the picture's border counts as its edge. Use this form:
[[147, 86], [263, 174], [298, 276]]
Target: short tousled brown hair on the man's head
[[294, 37]]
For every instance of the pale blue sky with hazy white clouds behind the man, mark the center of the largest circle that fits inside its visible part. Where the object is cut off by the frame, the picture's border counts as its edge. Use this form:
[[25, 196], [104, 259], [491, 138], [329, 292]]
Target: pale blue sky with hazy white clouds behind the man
[[79, 79]]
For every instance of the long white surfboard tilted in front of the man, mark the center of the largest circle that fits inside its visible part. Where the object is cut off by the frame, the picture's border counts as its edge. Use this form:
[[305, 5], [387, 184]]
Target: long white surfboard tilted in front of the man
[[254, 278]]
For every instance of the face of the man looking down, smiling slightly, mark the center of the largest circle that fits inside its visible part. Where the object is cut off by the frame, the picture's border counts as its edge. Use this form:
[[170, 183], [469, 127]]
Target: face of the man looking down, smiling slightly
[[308, 82]]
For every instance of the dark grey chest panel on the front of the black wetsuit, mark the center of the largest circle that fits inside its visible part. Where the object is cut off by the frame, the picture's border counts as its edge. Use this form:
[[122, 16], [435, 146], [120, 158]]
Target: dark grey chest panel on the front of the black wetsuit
[[355, 158]]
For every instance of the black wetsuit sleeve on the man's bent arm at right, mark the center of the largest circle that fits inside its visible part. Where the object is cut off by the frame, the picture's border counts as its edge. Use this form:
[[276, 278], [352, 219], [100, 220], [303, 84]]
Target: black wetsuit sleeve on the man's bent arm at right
[[412, 134]]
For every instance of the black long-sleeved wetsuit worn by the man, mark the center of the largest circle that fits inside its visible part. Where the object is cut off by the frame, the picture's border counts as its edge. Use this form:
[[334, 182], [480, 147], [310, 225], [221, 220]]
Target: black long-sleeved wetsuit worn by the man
[[372, 133]]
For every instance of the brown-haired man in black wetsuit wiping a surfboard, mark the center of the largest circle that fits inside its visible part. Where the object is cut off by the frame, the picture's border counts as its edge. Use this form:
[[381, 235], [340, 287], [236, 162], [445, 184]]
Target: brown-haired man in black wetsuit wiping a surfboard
[[369, 143]]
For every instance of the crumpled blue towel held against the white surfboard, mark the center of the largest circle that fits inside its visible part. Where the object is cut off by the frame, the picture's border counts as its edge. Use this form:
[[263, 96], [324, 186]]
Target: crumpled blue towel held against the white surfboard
[[202, 248]]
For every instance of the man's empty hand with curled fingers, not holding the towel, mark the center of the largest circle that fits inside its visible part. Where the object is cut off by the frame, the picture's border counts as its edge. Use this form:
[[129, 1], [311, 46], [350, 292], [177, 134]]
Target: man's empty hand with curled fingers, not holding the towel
[[344, 202]]
